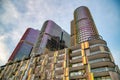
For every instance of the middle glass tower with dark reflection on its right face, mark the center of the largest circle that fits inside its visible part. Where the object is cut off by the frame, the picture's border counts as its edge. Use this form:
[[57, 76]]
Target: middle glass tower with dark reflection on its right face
[[51, 37]]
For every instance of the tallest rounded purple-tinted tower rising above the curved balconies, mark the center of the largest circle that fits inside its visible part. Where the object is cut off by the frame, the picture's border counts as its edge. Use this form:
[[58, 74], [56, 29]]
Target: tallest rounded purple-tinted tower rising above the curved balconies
[[85, 27]]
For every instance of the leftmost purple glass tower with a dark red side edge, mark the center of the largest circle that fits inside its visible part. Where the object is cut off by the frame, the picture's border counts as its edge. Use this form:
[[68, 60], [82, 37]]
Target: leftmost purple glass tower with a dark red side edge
[[25, 45]]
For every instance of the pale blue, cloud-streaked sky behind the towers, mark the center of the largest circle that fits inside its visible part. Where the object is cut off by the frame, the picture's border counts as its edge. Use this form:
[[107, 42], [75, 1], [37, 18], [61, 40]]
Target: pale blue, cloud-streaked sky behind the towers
[[17, 15]]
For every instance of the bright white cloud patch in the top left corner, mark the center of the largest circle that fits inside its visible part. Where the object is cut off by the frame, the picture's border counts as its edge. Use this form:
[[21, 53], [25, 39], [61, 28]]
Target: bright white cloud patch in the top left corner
[[10, 14]]
